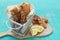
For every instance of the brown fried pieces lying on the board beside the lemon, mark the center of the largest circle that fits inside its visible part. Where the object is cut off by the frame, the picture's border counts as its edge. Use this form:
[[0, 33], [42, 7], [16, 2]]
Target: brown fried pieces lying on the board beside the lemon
[[40, 21]]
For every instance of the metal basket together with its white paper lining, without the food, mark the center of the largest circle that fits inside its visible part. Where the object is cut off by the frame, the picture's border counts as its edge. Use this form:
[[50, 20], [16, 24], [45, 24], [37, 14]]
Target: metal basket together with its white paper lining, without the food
[[20, 29]]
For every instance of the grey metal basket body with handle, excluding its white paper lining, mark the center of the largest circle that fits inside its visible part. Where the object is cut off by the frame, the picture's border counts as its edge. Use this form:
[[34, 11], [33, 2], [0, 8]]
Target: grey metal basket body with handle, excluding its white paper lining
[[21, 29]]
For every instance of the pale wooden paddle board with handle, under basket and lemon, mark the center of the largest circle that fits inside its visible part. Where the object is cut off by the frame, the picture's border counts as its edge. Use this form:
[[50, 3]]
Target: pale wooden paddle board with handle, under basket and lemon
[[46, 32]]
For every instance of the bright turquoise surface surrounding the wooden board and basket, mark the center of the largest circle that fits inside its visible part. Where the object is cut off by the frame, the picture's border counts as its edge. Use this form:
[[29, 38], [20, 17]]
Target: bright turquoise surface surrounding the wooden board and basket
[[44, 8]]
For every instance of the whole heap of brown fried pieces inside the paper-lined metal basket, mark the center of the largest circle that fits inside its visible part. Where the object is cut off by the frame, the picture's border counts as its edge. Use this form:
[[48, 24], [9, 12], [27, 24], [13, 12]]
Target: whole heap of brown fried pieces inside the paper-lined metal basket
[[20, 15]]
